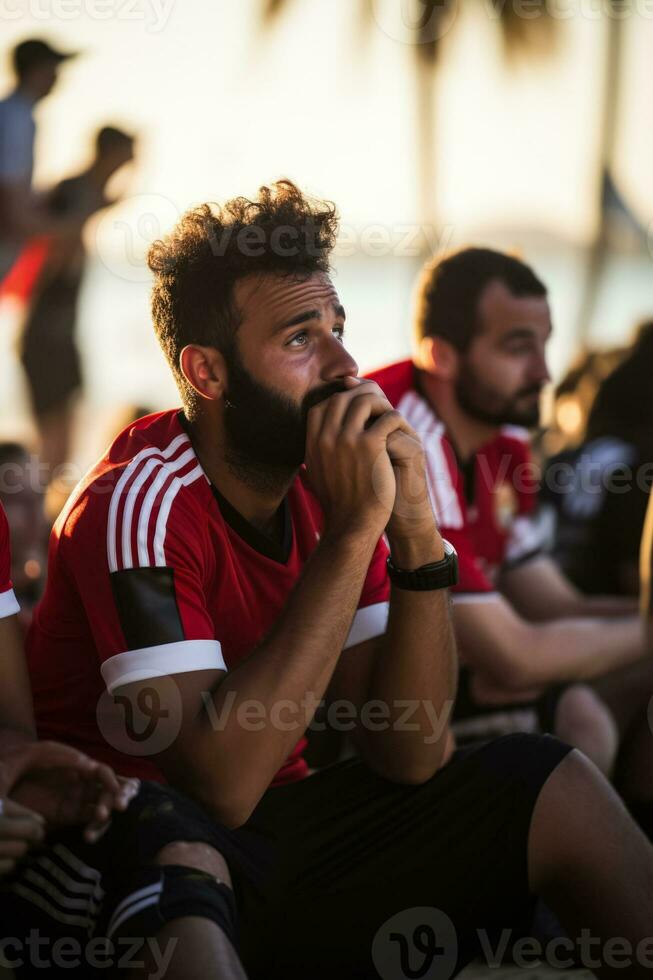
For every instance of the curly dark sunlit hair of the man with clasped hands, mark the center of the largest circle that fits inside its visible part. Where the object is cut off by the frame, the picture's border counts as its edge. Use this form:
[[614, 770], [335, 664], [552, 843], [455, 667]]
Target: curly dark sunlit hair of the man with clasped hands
[[196, 267]]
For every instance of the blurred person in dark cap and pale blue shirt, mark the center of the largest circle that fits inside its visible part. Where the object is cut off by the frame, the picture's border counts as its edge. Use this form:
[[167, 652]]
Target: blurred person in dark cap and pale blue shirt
[[23, 214]]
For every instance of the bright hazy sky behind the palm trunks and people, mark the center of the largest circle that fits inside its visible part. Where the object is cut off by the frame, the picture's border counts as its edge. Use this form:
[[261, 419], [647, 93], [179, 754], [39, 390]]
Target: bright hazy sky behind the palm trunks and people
[[220, 109]]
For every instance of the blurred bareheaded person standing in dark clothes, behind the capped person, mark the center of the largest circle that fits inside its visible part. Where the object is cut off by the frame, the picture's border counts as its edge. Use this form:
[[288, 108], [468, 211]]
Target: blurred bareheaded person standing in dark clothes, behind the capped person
[[49, 352]]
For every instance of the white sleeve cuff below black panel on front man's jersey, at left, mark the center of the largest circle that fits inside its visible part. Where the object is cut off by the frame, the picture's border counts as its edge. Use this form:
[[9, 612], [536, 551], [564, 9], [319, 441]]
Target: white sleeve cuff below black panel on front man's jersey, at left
[[160, 661]]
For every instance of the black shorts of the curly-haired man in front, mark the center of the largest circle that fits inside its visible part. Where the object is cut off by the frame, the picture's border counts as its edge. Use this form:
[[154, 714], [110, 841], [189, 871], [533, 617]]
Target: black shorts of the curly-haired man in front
[[330, 872]]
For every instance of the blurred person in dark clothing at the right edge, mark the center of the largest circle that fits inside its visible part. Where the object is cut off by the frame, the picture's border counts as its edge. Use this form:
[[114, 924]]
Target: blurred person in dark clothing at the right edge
[[599, 488]]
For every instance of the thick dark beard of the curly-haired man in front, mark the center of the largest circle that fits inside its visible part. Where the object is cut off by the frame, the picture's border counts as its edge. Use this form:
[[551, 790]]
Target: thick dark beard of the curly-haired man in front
[[266, 431]]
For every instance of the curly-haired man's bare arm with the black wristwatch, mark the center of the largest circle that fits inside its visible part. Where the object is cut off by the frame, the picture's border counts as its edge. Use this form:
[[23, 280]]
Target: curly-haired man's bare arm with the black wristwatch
[[411, 671]]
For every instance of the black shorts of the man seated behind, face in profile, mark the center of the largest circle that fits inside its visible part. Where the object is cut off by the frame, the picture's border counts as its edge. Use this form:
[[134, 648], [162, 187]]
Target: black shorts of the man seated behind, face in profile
[[474, 722]]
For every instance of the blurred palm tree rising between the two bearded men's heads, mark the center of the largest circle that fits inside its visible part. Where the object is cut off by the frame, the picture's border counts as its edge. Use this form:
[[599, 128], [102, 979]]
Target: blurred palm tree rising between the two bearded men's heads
[[428, 20]]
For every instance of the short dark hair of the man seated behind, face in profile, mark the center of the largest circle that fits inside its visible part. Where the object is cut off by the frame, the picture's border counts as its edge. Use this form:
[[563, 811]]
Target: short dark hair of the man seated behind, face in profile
[[449, 291]]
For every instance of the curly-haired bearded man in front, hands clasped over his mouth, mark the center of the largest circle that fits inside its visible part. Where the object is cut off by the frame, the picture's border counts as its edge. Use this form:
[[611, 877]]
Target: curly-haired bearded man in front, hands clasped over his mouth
[[221, 572]]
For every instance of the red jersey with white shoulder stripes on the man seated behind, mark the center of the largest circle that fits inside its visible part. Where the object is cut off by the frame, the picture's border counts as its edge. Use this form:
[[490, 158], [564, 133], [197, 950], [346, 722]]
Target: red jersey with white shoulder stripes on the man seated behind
[[484, 507]]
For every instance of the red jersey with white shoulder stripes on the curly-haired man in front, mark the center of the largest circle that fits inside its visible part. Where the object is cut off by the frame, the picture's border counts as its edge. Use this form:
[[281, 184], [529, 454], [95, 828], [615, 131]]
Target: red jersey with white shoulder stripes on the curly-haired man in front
[[152, 573]]
